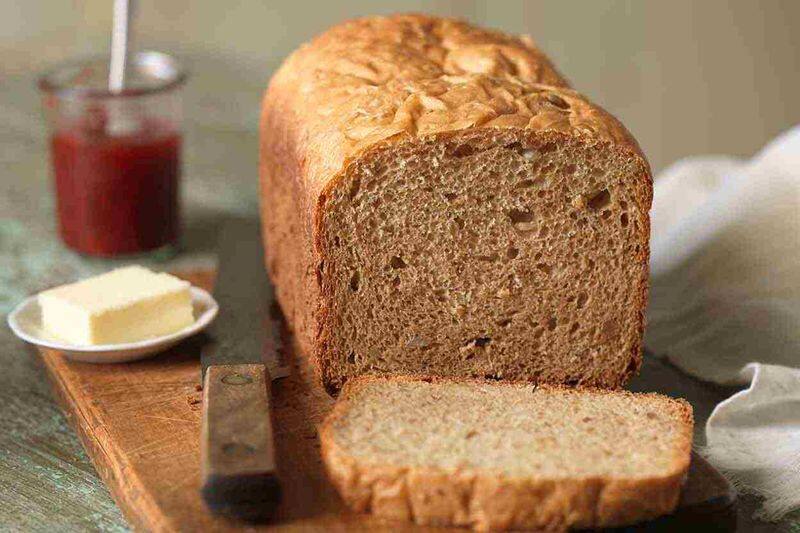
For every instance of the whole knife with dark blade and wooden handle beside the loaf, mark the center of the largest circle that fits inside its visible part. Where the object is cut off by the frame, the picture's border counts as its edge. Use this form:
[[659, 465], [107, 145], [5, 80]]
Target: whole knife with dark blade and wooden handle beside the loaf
[[244, 354]]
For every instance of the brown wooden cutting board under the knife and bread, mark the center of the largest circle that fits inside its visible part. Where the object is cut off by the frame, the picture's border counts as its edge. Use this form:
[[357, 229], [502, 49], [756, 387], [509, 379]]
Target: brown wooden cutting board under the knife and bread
[[140, 424]]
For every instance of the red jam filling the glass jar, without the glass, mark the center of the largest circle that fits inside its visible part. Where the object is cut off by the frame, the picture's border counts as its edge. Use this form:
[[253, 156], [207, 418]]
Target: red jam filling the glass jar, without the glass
[[117, 193]]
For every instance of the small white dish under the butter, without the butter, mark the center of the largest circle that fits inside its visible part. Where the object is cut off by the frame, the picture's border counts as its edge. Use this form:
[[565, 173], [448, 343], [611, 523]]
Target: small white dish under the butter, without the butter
[[26, 323]]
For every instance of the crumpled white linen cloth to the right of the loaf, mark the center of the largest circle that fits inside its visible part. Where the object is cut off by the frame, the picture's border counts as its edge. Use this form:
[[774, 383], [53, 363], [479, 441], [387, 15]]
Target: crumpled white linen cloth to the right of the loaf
[[725, 306]]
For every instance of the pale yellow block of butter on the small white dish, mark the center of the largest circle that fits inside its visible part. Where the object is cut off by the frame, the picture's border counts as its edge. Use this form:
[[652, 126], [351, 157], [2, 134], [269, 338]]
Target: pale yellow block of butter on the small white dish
[[125, 305]]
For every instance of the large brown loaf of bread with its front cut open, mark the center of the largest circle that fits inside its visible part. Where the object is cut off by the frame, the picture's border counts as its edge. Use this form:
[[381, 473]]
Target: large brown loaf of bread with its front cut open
[[437, 201]]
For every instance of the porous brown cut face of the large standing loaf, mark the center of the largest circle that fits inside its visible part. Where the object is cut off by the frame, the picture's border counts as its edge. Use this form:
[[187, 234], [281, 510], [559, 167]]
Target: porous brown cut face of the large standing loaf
[[501, 254]]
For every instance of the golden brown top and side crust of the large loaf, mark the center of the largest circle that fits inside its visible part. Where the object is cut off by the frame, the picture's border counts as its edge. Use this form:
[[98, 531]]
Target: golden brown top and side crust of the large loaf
[[382, 81]]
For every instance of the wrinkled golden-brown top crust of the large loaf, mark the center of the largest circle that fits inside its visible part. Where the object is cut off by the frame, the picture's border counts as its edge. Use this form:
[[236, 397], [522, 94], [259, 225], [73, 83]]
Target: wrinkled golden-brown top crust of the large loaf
[[379, 80]]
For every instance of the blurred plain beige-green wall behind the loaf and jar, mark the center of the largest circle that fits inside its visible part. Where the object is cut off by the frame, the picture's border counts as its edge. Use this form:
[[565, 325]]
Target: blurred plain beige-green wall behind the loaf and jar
[[687, 77]]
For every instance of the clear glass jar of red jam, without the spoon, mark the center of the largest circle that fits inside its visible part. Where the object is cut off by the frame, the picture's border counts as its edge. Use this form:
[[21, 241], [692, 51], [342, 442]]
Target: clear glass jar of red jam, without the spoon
[[116, 156]]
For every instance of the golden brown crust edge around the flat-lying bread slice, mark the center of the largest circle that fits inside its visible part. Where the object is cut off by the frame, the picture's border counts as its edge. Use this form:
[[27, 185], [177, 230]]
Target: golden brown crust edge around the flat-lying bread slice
[[486, 500]]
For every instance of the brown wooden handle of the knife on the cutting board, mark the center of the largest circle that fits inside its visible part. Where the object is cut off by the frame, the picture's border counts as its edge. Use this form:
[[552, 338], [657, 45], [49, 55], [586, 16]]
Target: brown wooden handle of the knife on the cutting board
[[236, 447]]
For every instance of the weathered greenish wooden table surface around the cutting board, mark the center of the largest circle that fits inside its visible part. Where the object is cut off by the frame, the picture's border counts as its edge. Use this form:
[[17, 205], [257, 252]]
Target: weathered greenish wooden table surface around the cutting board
[[46, 480]]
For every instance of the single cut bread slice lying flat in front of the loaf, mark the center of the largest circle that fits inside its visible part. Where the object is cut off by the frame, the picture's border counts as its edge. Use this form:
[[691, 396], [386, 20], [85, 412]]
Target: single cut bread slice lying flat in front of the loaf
[[503, 456]]
